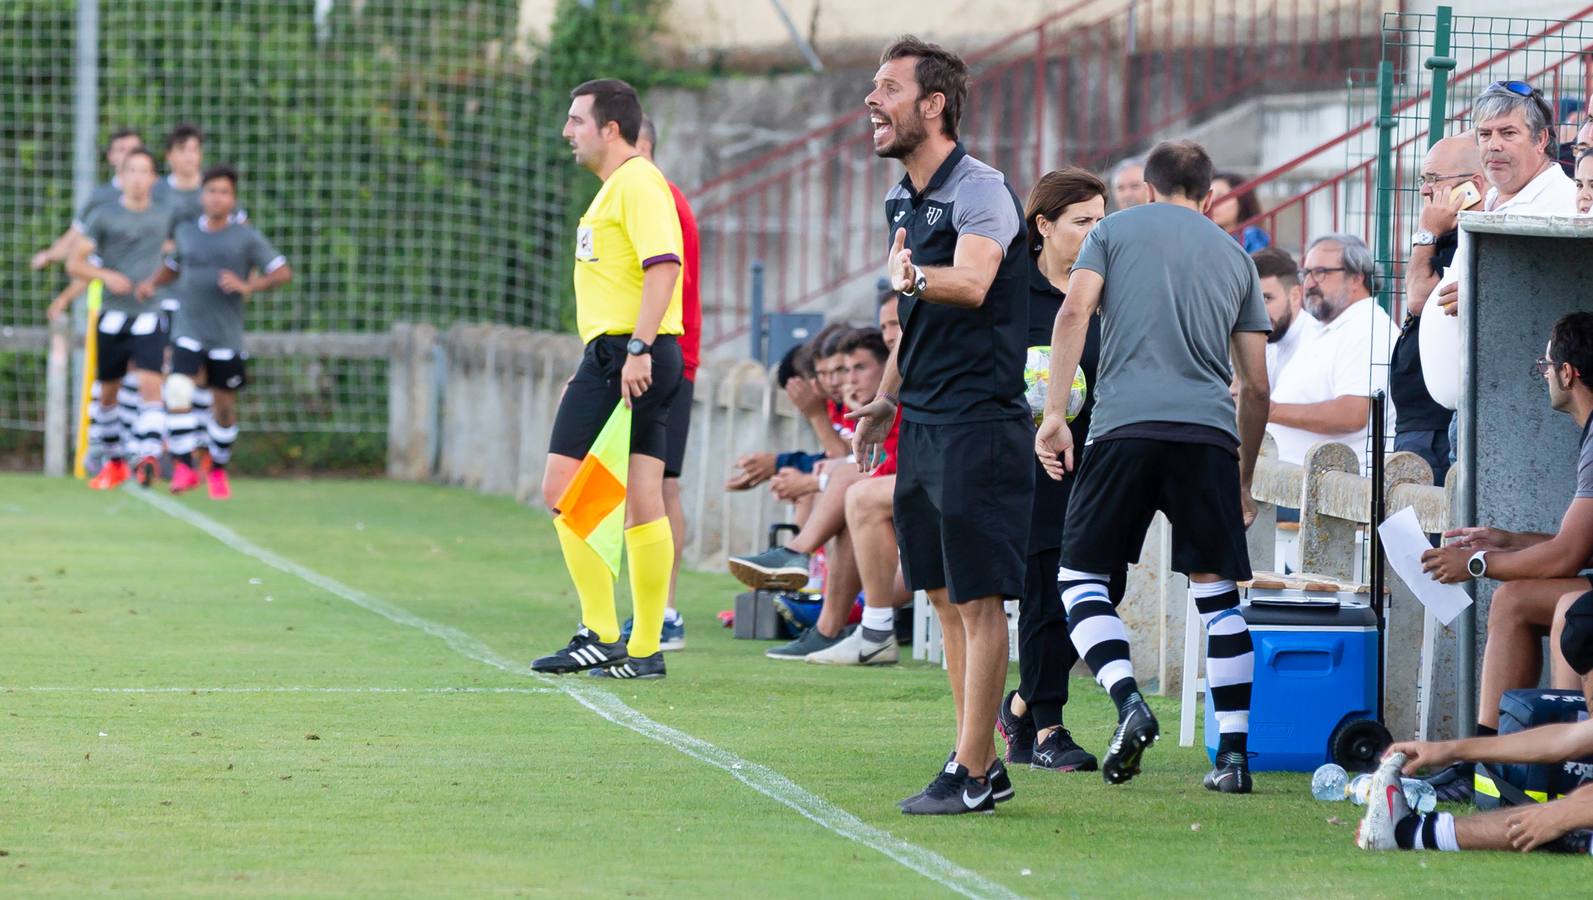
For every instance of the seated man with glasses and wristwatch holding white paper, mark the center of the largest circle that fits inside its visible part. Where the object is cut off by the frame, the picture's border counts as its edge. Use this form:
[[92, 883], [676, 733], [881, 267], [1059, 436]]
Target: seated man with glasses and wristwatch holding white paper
[[1540, 573]]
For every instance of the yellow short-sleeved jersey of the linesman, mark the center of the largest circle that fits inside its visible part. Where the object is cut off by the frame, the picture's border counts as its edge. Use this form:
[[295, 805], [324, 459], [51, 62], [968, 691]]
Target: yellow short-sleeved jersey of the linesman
[[630, 225]]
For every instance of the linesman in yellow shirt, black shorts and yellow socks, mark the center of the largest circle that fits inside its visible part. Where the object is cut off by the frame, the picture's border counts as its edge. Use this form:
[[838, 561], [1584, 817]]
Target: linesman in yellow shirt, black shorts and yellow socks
[[628, 310]]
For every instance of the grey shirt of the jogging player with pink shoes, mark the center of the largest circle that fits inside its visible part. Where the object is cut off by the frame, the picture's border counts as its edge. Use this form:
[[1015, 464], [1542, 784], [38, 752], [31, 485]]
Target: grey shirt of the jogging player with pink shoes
[[208, 315]]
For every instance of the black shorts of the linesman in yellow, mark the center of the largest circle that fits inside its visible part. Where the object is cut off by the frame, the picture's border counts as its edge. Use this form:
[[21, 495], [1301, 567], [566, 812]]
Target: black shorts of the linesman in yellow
[[595, 391]]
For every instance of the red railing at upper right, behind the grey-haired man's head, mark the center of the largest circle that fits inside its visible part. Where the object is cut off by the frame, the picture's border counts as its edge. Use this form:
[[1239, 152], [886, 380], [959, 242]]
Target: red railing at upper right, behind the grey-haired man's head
[[1347, 202]]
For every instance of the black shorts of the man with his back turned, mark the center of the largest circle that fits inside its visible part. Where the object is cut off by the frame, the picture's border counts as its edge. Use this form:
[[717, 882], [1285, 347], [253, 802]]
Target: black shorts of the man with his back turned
[[1124, 483]]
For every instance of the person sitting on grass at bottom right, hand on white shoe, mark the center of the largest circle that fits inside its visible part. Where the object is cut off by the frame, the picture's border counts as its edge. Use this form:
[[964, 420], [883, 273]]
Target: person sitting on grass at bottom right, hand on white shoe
[[1562, 826]]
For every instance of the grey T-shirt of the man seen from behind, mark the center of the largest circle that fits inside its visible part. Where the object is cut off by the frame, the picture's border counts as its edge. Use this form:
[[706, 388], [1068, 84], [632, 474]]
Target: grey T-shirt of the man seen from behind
[[1176, 289]]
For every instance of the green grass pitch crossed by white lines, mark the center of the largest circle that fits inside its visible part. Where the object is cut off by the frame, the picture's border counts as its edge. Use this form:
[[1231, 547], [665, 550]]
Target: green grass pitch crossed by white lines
[[182, 719]]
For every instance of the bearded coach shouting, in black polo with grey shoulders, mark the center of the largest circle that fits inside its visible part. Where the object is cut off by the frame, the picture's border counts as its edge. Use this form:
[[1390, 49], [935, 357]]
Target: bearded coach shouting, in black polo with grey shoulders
[[961, 512]]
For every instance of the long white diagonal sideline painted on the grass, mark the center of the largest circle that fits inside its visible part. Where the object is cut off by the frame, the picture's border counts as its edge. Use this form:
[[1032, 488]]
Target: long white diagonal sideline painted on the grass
[[757, 777]]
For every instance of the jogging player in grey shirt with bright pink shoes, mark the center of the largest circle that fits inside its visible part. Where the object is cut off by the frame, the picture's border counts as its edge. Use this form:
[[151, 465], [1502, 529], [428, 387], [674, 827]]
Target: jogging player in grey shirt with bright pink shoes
[[219, 265]]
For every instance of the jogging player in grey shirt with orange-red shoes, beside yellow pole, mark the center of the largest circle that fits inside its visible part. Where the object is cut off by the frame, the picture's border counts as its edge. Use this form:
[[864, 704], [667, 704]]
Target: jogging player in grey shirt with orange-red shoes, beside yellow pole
[[122, 248]]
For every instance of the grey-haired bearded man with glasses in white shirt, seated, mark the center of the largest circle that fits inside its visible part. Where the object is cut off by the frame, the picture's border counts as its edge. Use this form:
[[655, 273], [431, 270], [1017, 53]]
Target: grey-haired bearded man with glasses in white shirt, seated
[[1326, 391]]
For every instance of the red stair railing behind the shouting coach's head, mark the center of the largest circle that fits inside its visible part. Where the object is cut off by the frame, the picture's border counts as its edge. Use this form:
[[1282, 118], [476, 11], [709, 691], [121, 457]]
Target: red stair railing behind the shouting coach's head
[[1084, 87]]
